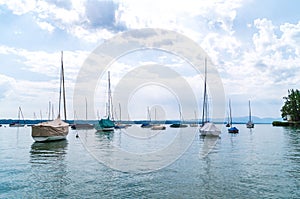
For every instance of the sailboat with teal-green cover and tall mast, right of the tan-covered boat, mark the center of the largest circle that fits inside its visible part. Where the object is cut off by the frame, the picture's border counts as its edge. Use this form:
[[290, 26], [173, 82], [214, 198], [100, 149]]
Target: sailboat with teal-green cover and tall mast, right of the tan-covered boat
[[106, 124]]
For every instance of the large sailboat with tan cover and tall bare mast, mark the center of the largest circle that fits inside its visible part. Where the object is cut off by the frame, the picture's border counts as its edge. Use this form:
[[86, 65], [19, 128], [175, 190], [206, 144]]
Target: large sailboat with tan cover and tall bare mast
[[55, 129]]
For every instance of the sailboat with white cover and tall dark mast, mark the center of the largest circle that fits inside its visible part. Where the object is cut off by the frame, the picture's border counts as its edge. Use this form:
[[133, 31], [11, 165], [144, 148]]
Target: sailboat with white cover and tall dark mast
[[207, 128]]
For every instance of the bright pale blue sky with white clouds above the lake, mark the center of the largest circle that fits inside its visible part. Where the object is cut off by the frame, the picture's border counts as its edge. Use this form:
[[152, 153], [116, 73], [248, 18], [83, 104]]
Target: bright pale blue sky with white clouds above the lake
[[253, 44]]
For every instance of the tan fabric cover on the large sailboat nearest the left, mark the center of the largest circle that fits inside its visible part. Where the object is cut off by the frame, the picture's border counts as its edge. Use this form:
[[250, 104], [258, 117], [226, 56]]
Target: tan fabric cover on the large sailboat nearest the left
[[55, 127]]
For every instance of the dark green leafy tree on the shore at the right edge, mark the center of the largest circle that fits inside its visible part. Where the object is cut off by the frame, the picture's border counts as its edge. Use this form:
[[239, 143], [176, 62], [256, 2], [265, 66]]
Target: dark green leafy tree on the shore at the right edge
[[291, 107]]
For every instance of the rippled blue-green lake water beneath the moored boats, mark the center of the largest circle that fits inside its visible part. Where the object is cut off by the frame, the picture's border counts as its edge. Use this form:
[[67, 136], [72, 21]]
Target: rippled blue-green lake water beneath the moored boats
[[261, 163]]
